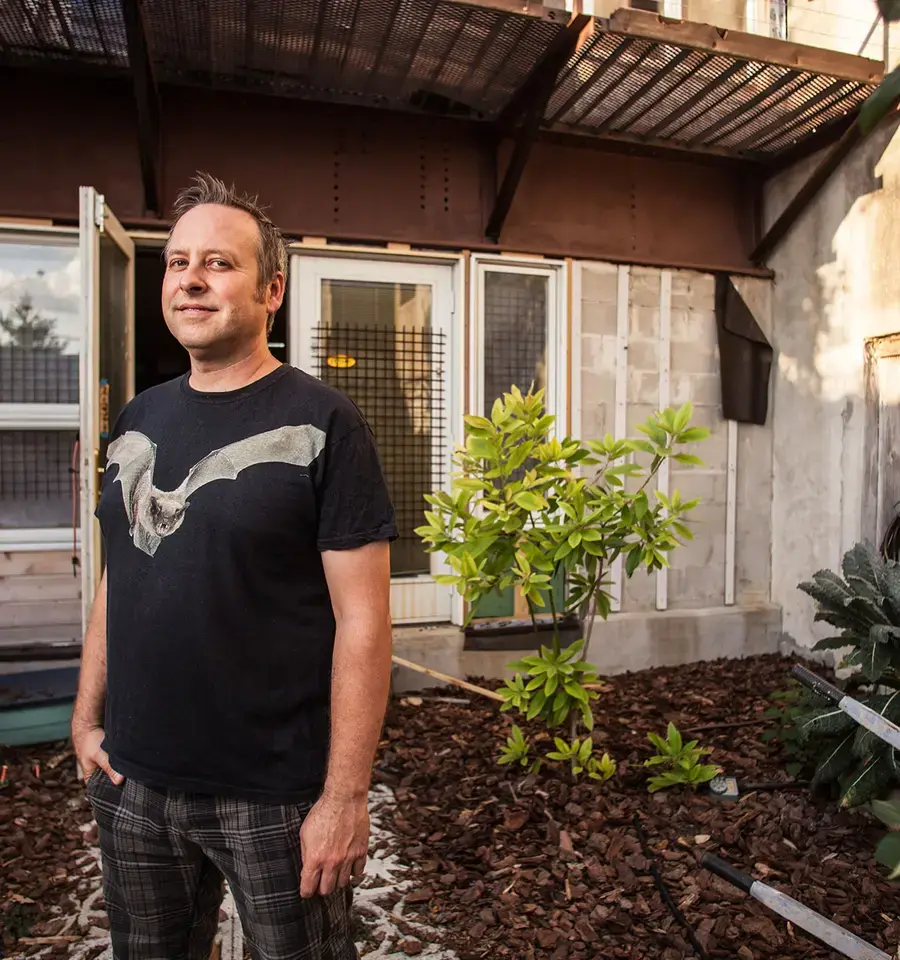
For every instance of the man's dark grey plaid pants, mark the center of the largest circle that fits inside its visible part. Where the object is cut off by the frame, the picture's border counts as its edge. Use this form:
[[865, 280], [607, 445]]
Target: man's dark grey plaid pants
[[165, 854]]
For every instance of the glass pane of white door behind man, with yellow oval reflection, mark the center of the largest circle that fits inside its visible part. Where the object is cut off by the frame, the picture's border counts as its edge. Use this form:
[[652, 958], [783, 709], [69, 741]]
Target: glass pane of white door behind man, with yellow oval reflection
[[376, 343]]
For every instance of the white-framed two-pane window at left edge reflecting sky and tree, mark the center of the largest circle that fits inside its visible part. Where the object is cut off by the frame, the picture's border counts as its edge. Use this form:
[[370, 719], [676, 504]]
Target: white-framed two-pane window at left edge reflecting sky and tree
[[40, 346]]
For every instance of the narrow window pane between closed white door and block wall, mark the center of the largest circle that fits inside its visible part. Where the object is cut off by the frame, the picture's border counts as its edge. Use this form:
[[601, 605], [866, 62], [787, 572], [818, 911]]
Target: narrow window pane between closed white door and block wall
[[515, 334]]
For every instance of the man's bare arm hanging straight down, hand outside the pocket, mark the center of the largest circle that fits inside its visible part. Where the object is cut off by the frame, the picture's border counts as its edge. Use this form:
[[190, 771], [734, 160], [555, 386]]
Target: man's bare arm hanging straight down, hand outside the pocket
[[335, 835]]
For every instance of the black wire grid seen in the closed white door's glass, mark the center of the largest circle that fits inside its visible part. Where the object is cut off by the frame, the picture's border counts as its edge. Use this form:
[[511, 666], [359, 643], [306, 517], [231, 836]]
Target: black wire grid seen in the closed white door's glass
[[397, 380]]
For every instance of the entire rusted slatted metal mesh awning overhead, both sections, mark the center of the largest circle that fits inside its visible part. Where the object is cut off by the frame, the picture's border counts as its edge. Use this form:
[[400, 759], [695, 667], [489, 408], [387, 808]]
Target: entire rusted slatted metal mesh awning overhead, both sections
[[633, 77]]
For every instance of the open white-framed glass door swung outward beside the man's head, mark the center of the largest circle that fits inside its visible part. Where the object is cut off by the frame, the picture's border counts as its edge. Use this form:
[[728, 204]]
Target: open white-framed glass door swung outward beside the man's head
[[107, 363]]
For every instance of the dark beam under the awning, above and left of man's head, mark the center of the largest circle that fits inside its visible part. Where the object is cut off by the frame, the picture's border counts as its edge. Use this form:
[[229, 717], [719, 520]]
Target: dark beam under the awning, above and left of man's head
[[146, 100]]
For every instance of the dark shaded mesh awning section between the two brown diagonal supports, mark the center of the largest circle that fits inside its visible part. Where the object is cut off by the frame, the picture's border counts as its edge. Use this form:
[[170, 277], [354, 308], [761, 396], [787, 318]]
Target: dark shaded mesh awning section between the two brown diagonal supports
[[382, 52]]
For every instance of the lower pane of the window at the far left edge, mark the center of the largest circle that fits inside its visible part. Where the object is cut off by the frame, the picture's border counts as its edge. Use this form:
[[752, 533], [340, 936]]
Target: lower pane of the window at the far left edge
[[36, 479]]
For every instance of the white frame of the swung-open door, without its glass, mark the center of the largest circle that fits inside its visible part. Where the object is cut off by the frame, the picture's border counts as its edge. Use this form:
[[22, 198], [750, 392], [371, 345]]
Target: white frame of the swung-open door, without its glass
[[95, 220]]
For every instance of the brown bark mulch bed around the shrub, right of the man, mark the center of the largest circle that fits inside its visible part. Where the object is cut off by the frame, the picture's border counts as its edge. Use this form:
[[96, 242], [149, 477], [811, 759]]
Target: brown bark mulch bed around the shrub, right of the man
[[525, 867]]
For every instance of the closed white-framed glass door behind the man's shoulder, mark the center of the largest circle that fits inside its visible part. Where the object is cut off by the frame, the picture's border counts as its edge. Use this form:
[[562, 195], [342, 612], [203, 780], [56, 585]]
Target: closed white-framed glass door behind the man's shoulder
[[382, 333]]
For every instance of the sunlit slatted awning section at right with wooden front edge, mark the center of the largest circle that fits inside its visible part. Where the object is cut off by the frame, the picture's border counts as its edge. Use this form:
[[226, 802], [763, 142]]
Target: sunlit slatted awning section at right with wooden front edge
[[692, 86]]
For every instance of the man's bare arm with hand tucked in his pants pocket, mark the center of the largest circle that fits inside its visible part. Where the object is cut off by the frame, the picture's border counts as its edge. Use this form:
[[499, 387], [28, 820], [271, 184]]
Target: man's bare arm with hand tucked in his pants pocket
[[87, 714]]
